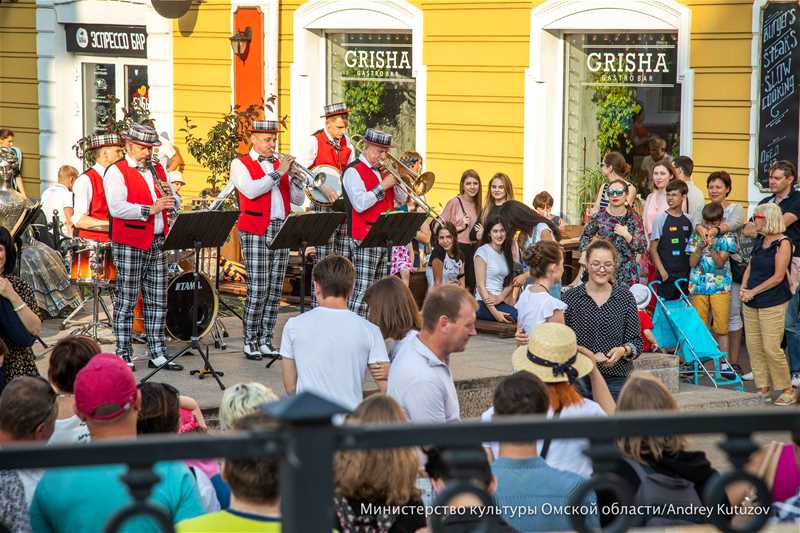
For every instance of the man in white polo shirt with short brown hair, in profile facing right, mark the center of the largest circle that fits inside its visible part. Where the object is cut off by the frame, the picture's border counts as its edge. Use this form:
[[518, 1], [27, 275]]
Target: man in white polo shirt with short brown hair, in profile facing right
[[420, 378]]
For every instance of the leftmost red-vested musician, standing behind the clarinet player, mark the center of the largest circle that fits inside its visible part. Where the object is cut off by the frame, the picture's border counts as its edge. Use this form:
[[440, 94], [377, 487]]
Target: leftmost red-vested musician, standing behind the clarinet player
[[90, 215]]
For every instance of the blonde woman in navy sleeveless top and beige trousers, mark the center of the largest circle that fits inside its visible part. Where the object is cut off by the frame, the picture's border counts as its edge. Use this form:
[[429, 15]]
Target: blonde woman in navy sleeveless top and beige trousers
[[765, 294]]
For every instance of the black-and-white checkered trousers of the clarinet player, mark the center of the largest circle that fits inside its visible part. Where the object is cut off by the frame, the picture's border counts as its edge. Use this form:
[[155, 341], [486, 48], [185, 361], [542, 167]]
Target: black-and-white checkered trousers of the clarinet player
[[146, 270]]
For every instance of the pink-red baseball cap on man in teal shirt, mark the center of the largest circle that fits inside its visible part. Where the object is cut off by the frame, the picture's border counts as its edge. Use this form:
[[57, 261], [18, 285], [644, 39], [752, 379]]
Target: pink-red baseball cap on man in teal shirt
[[105, 388]]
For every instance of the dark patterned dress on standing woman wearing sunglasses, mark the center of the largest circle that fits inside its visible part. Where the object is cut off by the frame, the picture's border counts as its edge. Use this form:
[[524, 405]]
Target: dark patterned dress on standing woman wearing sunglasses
[[602, 225]]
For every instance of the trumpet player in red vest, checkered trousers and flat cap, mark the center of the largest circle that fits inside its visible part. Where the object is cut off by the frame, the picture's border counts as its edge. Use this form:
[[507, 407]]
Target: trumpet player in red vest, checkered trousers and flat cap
[[265, 193]]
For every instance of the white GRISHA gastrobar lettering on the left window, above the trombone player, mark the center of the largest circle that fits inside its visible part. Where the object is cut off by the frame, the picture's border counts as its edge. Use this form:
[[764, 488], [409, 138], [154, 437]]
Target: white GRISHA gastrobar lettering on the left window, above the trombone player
[[376, 59]]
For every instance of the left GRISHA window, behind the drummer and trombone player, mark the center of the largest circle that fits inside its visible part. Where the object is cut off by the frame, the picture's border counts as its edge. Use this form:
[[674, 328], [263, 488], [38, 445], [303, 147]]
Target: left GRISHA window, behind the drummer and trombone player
[[372, 74]]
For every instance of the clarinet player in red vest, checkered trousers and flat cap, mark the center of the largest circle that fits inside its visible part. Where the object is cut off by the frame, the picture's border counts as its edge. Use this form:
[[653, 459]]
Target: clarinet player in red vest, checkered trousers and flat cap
[[138, 199]]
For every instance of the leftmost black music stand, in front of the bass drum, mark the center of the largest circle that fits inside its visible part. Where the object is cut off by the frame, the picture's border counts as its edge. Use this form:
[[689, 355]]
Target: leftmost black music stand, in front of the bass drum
[[197, 230]]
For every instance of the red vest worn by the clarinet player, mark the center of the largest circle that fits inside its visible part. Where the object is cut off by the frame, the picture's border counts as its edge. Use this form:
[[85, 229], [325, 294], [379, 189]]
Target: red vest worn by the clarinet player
[[138, 233]]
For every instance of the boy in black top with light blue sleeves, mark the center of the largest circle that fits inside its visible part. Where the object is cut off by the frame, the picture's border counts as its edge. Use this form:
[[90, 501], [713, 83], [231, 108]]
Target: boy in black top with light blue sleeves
[[671, 232]]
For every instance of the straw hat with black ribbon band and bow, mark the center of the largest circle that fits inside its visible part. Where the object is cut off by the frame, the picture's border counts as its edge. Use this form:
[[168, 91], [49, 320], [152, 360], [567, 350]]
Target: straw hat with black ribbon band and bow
[[552, 355]]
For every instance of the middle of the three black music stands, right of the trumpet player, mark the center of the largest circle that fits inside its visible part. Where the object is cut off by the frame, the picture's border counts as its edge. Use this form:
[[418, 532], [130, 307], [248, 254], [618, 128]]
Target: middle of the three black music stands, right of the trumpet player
[[302, 230]]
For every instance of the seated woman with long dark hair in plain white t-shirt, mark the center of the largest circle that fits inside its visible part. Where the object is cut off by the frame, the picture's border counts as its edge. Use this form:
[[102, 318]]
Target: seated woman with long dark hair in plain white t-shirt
[[494, 264]]
